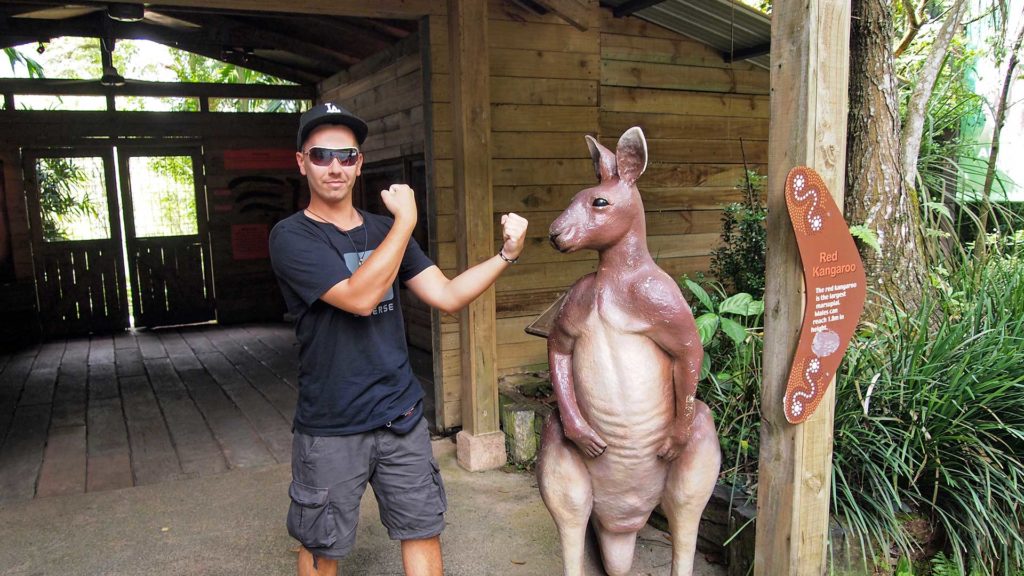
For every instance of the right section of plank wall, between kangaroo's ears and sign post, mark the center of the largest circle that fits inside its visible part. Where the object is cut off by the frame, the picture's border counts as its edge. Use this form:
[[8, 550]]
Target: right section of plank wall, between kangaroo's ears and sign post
[[704, 119]]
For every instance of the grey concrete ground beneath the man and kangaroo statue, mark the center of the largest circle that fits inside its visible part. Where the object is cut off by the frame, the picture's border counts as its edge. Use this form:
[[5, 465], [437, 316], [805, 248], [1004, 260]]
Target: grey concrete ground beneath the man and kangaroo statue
[[233, 524]]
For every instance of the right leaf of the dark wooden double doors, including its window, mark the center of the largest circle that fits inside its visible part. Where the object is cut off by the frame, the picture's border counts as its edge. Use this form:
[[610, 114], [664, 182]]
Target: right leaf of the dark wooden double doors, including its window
[[166, 236]]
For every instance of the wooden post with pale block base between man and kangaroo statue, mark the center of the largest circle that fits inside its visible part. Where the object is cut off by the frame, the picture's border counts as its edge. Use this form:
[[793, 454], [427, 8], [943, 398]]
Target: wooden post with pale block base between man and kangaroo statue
[[481, 441]]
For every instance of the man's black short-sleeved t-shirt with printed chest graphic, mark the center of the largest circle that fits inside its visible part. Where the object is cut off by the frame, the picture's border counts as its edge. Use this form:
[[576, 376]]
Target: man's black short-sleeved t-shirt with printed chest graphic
[[355, 374]]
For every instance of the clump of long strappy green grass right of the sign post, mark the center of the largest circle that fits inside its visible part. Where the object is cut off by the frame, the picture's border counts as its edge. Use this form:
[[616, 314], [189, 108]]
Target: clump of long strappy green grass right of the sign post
[[930, 423]]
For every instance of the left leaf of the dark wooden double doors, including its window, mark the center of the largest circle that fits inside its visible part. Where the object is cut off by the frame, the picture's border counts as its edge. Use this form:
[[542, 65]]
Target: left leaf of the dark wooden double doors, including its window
[[76, 240]]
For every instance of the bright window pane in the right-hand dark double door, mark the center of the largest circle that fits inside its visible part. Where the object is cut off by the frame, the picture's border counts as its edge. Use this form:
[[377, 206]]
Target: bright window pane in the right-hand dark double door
[[163, 195]]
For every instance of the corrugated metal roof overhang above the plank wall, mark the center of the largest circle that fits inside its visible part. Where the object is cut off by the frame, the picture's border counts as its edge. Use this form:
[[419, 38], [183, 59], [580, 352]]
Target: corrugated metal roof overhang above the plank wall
[[729, 26]]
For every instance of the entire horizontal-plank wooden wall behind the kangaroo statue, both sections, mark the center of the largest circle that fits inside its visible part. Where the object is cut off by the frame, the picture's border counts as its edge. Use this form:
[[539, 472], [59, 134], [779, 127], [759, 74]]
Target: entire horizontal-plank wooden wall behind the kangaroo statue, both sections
[[551, 85]]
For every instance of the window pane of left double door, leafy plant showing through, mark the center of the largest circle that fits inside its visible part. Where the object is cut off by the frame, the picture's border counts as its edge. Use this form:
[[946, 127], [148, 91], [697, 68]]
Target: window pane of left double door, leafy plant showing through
[[73, 199]]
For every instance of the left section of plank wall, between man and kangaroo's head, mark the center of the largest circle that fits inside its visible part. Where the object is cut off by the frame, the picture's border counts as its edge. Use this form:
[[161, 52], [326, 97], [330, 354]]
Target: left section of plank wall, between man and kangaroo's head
[[544, 80]]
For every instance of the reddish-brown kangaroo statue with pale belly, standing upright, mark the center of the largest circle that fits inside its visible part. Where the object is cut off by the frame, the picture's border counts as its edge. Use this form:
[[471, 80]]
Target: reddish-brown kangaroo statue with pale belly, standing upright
[[625, 358]]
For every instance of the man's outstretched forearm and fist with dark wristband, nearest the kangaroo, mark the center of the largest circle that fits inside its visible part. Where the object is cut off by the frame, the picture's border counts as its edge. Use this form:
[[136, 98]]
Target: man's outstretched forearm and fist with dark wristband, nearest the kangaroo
[[436, 290]]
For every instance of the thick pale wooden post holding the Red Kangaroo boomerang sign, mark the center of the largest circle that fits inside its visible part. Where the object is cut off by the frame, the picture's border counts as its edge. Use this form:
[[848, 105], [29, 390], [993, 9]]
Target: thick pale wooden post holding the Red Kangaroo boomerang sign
[[809, 76]]
